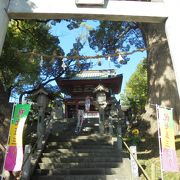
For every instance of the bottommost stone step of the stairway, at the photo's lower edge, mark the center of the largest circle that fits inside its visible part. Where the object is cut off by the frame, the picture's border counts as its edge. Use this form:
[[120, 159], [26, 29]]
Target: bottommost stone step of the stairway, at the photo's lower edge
[[82, 177]]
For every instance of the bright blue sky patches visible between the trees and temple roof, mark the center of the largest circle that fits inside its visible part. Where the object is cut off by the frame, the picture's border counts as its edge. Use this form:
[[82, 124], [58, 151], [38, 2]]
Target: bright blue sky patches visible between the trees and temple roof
[[67, 38]]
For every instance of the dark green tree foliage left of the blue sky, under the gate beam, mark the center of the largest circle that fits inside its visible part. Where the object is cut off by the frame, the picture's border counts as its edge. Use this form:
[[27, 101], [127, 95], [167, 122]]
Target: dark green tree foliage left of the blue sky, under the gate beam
[[32, 56]]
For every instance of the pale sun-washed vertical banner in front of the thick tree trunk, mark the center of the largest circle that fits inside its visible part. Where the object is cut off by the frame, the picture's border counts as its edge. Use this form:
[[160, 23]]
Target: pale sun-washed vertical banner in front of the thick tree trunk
[[168, 150]]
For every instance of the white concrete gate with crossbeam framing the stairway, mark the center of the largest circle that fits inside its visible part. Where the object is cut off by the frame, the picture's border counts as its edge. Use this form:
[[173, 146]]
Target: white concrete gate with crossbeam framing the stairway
[[163, 12]]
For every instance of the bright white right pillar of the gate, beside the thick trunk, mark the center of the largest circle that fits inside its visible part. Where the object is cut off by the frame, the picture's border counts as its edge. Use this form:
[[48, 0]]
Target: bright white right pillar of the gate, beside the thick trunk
[[172, 32]]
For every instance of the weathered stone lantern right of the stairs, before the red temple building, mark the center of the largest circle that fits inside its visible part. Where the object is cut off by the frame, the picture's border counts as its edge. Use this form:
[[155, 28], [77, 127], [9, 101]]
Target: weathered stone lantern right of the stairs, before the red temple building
[[100, 92]]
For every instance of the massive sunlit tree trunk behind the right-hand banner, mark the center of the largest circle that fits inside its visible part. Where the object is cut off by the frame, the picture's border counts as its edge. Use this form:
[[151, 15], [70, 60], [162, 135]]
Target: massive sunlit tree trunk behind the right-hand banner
[[161, 78]]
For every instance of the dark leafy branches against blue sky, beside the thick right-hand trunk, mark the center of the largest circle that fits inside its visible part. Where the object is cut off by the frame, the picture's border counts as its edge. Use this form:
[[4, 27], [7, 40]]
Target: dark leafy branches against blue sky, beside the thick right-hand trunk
[[113, 37]]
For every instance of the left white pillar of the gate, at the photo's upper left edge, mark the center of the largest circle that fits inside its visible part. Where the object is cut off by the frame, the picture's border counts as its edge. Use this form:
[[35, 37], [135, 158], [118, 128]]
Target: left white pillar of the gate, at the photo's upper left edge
[[3, 21]]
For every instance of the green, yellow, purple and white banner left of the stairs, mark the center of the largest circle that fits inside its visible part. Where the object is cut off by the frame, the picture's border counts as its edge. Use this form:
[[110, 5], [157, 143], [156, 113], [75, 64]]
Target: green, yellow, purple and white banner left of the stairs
[[14, 156]]
